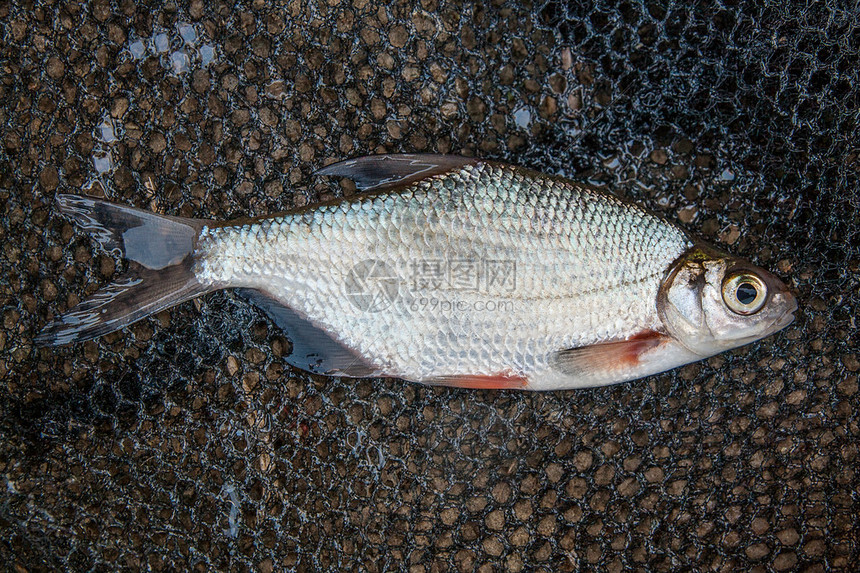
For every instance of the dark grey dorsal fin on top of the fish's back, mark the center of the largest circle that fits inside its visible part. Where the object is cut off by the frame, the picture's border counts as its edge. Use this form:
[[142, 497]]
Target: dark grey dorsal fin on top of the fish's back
[[376, 172]]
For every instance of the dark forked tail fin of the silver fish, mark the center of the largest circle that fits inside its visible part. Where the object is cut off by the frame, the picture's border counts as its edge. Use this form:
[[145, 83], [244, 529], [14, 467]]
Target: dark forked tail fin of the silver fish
[[160, 274]]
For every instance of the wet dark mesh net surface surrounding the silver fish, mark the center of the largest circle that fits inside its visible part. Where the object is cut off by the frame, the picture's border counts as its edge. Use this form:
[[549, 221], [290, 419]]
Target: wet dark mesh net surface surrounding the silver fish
[[186, 442]]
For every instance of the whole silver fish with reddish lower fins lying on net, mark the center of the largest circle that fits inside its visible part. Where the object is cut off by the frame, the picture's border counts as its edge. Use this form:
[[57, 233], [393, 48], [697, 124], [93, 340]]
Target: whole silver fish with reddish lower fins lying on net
[[445, 270]]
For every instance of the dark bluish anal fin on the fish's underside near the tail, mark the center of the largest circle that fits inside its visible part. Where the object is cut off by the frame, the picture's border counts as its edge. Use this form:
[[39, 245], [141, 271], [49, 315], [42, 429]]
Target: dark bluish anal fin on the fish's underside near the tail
[[314, 350]]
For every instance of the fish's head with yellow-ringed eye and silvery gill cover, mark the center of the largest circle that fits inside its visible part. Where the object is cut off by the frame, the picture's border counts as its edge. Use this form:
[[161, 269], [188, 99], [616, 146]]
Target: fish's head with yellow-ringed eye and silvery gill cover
[[711, 301]]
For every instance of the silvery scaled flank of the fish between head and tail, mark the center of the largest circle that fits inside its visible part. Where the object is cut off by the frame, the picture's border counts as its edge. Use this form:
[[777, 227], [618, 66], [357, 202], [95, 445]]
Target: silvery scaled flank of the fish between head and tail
[[589, 276]]
